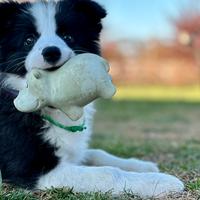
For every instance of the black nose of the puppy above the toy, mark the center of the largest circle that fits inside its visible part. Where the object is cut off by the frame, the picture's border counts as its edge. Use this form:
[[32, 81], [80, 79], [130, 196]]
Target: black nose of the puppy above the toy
[[51, 54]]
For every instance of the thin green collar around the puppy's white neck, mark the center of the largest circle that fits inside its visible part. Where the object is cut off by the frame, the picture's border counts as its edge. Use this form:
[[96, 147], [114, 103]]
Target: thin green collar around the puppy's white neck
[[72, 129]]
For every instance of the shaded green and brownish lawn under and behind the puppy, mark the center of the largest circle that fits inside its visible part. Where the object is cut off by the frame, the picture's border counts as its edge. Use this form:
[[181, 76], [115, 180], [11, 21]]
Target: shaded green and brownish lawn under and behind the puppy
[[162, 130]]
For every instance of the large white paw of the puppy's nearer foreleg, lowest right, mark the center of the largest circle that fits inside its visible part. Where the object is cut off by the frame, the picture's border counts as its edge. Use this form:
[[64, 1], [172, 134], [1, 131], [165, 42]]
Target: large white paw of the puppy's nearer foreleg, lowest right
[[156, 185]]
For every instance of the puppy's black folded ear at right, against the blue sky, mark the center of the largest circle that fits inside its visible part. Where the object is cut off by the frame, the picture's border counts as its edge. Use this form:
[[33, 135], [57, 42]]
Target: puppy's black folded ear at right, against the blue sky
[[92, 9]]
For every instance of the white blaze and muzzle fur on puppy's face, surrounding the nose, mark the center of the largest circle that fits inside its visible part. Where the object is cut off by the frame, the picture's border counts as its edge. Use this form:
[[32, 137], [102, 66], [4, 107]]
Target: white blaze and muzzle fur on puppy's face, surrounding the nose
[[45, 22]]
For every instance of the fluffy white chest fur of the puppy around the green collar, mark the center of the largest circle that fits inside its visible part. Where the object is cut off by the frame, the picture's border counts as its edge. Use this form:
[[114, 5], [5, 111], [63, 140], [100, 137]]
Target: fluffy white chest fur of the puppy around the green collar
[[70, 147]]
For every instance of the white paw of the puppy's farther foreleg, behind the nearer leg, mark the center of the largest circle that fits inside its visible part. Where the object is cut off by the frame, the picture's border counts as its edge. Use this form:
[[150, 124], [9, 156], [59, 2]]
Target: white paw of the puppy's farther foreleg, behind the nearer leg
[[140, 166]]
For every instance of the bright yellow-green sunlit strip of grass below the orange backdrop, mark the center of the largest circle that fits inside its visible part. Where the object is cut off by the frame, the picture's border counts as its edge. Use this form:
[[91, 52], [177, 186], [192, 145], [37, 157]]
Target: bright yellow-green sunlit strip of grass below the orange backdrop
[[161, 93]]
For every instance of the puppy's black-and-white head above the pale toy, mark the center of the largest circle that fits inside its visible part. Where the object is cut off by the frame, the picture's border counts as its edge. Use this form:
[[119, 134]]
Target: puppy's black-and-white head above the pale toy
[[46, 34]]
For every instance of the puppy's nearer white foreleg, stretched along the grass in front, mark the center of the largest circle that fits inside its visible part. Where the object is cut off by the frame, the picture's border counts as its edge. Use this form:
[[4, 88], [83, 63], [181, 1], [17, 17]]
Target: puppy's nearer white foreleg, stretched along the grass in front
[[94, 179]]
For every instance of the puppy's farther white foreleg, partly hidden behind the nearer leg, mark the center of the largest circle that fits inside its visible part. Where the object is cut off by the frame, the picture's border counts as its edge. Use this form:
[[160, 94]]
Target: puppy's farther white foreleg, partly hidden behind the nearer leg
[[97, 157]]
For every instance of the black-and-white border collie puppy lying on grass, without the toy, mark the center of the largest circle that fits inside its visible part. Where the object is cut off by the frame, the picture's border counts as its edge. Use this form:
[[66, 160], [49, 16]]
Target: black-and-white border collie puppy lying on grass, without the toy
[[34, 153]]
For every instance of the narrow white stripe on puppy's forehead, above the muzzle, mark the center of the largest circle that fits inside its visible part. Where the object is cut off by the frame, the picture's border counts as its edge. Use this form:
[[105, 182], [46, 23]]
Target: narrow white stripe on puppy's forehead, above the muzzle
[[44, 14]]
